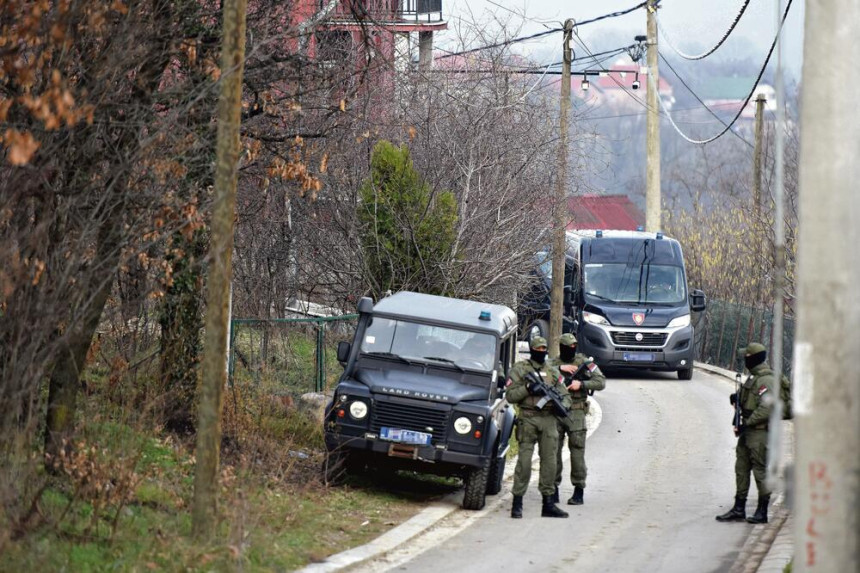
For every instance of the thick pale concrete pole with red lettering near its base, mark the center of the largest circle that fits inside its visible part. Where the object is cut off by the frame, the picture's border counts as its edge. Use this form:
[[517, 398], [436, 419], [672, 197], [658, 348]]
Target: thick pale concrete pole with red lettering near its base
[[826, 377]]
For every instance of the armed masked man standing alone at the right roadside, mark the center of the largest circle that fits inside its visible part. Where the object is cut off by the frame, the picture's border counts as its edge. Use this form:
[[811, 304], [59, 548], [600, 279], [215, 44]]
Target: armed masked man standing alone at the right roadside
[[751, 451]]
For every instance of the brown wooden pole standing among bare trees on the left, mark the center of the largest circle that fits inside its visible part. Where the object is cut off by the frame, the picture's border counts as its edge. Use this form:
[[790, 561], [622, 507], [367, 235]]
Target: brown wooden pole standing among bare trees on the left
[[214, 372]]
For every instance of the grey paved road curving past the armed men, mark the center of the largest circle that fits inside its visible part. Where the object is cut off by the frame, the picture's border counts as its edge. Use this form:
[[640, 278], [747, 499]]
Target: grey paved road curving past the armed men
[[660, 467]]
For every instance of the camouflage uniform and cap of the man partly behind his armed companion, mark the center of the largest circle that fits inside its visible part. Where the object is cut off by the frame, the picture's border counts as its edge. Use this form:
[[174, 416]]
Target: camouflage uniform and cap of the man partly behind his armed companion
[[574, 426]]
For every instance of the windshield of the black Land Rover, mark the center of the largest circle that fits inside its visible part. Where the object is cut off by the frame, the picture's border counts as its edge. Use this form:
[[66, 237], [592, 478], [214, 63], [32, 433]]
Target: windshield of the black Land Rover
[[433, 344]]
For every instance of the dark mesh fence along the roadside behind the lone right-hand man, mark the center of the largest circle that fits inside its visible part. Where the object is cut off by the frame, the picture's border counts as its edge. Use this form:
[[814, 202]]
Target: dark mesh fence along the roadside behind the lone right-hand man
[[725, 327]]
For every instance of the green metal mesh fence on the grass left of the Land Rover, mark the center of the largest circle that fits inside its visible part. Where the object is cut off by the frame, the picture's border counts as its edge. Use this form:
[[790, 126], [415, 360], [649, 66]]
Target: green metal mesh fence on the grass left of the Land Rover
[[288, 356]]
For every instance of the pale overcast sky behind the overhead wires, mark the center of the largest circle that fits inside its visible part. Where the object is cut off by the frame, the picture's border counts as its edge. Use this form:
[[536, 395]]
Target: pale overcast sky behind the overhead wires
[[692, 25]]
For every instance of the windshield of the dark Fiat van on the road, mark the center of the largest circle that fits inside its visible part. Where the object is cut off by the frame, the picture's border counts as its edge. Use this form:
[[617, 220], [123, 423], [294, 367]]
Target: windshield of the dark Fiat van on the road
[[645, 284]]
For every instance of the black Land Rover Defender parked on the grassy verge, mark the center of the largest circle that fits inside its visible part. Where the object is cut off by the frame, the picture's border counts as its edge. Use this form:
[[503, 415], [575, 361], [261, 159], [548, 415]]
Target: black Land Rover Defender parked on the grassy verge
[[423, 390]]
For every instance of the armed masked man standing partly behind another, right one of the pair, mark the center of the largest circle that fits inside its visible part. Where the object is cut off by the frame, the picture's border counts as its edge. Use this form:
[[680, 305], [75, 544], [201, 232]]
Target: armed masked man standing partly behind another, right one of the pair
[[592, 379]]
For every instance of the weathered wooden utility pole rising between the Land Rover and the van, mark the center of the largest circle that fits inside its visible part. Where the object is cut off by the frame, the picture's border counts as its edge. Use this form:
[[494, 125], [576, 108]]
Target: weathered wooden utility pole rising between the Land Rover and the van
[[559, 247]]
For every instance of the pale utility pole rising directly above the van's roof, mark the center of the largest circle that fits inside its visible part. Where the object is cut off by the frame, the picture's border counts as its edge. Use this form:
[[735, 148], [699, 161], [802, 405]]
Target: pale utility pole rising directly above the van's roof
[[652, 170]]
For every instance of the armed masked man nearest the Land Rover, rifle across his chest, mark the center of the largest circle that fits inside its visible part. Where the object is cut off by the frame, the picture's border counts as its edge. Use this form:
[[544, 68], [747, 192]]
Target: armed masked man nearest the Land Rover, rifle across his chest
[[535, 426]]
